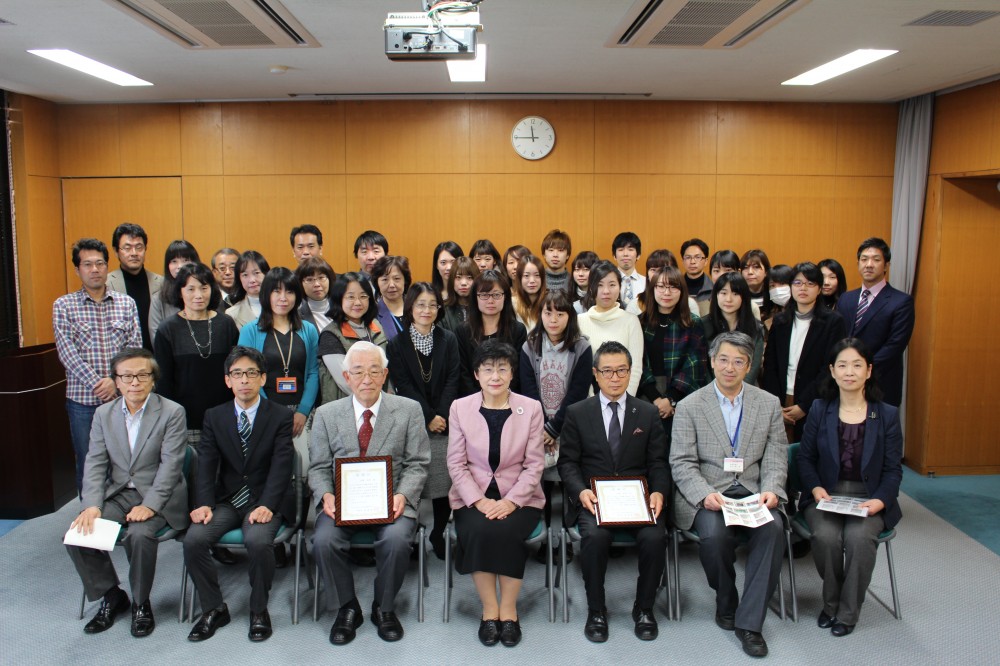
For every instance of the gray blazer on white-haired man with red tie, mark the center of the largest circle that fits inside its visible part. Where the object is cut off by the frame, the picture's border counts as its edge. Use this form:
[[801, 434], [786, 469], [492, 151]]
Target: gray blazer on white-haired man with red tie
[[399, 432]]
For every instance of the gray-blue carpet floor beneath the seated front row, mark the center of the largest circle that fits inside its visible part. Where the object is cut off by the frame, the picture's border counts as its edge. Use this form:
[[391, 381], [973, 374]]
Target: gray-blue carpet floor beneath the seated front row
[[948, 592]]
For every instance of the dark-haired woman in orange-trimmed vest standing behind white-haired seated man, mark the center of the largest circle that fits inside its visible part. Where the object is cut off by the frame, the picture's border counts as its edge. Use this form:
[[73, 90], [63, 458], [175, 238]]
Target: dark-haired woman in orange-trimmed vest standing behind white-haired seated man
[[352, 318]]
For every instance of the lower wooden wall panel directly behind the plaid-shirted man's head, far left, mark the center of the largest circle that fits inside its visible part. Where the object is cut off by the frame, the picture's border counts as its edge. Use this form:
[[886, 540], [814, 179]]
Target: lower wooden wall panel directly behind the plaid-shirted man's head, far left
[[93, 207]]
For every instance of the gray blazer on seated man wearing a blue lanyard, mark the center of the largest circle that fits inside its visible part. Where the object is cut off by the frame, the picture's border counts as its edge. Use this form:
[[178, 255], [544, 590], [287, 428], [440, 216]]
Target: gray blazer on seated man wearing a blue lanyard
[[700, 444]]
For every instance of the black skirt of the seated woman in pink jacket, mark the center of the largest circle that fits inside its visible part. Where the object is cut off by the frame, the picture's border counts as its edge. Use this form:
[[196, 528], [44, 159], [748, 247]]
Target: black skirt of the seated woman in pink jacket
[[494, 546]]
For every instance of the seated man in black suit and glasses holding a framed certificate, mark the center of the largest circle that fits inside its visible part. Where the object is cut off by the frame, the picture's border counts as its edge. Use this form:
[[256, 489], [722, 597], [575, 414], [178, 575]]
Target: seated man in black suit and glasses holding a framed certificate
[[614, 434]]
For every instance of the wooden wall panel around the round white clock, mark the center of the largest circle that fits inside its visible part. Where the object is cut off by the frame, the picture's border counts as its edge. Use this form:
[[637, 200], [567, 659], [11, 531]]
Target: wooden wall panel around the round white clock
[[491, 124]]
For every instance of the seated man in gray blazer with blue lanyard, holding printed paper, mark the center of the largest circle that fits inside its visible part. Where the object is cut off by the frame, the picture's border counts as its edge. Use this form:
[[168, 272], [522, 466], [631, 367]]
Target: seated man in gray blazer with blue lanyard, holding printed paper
[[729, 441]]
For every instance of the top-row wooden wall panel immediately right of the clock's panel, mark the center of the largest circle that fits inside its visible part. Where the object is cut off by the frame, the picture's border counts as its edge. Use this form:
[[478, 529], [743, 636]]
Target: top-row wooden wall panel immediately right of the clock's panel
[[656, 137]]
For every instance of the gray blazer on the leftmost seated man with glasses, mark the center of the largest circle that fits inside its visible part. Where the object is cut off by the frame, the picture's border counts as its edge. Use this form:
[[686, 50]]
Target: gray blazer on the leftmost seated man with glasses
[[155, 467]]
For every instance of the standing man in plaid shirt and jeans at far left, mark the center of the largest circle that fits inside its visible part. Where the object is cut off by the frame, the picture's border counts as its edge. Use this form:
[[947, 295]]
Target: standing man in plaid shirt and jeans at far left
[[91, 326]]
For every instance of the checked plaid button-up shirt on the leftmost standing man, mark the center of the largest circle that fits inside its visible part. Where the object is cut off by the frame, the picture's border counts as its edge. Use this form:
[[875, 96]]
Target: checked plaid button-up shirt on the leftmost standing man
[[89, 334]]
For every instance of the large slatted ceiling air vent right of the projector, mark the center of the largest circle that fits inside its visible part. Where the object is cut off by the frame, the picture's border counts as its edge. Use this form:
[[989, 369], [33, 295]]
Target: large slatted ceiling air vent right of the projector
[[699, 24]]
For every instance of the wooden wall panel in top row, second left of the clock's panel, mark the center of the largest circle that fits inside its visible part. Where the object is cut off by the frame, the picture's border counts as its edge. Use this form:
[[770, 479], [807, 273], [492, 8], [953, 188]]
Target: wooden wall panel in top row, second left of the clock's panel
[[283, 138]]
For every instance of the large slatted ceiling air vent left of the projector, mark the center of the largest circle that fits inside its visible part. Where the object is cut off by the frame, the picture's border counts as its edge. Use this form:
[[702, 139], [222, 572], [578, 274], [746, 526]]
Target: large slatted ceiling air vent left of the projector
[[220, 24]]
